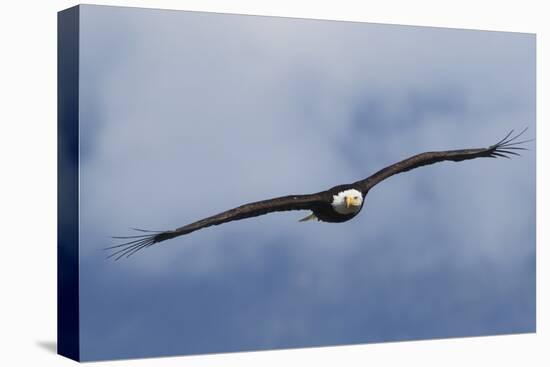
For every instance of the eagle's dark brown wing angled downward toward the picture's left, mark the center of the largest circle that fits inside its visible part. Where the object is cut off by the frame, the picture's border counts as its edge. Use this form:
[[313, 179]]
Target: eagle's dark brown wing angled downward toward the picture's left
[[285, 203]]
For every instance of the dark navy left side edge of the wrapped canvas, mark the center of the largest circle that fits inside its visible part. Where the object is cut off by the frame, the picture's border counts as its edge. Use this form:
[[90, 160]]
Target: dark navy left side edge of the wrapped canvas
[[68, 315]]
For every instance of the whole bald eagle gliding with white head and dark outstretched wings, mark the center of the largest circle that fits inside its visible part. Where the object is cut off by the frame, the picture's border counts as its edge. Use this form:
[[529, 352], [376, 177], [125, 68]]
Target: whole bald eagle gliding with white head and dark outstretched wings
[[335, 205]]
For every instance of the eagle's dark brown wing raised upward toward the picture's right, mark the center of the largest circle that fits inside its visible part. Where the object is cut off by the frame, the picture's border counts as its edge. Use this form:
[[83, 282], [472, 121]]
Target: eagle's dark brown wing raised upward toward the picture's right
[[507, 146]]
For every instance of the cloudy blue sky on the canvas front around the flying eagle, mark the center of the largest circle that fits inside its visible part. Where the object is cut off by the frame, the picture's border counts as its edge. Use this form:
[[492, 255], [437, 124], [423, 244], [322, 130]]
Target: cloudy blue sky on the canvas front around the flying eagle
[[184, 115]]
